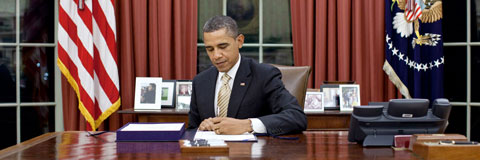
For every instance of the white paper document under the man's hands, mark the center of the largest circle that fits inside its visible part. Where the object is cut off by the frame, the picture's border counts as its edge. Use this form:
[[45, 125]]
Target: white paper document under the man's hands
[[211, 135]]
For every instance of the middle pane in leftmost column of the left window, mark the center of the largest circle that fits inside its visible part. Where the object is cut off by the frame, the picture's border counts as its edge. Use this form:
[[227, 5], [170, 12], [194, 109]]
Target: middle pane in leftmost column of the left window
[[7, 74]]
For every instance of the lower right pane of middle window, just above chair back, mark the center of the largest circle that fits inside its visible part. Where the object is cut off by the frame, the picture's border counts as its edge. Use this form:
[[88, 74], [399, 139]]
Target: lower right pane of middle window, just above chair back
[[278, 55]]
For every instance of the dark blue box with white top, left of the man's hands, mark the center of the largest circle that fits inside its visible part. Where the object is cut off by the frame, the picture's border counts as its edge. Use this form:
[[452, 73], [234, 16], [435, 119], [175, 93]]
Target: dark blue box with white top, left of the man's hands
[[150, 132]]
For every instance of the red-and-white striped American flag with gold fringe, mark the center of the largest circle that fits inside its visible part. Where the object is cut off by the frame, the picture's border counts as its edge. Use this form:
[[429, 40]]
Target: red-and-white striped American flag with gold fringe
[[87, 56]]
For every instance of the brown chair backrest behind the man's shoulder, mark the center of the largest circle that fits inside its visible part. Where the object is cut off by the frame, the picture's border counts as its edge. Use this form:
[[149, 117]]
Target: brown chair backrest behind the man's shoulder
[[295, 79]]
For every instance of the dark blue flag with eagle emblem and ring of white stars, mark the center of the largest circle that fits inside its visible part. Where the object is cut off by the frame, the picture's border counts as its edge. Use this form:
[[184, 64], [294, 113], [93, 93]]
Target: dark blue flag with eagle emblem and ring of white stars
[[414, 47]]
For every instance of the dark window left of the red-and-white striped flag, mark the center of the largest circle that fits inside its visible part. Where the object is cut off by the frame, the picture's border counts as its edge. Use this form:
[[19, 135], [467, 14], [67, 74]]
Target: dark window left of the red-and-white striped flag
[[29, 78]]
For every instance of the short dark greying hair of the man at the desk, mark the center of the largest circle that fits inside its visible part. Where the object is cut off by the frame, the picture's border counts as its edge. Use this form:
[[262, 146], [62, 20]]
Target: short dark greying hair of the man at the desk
[[219, 22]]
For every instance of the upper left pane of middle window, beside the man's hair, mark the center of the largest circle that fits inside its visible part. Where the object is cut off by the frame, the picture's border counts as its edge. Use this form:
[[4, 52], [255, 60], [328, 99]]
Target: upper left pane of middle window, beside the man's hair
[[206, 10]]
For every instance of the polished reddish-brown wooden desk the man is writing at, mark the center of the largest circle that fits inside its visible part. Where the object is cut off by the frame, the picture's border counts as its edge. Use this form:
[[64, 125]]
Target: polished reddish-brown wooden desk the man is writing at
[[310, 145]]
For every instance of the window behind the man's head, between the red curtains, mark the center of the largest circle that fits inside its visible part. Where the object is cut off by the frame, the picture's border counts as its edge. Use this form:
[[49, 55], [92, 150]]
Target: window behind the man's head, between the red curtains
[[267, 29]]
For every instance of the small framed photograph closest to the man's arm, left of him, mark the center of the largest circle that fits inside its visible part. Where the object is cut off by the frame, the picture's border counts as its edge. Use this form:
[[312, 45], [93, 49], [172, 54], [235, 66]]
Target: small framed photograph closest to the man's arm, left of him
[[184, 92]]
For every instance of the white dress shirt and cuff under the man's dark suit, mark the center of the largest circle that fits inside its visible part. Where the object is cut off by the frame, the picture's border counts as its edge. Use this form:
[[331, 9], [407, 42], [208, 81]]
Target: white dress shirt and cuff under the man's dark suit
[[257, 124]]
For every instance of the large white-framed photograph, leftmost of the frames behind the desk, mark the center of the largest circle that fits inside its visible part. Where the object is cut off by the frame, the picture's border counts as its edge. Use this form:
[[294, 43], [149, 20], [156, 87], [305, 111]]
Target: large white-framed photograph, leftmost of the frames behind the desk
[[148, 93]]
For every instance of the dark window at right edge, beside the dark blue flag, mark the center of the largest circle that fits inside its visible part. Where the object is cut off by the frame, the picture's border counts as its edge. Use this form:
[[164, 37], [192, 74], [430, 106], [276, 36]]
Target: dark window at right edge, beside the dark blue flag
[[461, 32]]
